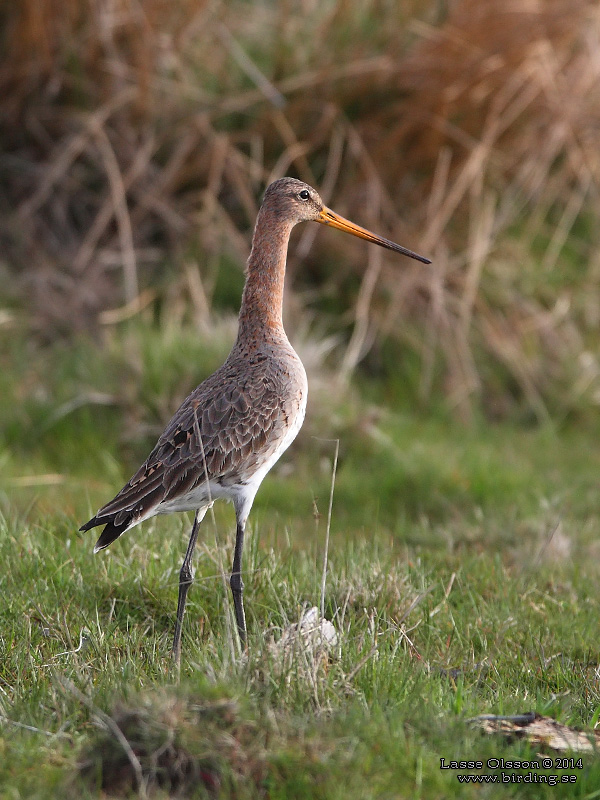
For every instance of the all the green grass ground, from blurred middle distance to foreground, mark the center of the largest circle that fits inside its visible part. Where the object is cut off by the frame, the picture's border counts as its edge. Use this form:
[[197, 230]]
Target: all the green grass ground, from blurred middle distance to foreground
[[462, 580]]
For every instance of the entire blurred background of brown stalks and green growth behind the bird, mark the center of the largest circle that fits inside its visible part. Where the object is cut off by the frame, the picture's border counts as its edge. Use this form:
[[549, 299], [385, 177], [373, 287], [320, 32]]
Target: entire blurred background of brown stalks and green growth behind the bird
[[136, 141]]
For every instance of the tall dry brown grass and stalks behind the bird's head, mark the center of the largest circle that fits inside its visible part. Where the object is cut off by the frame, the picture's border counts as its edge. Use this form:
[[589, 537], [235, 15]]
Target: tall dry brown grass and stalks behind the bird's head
[[137, 133]]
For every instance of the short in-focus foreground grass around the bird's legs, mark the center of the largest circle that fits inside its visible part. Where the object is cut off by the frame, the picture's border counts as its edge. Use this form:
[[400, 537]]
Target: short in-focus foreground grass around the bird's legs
[[378, 733]]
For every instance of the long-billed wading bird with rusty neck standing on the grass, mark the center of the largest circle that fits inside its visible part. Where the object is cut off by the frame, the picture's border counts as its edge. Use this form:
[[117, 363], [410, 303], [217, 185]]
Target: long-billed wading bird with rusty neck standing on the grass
[[229, 432]]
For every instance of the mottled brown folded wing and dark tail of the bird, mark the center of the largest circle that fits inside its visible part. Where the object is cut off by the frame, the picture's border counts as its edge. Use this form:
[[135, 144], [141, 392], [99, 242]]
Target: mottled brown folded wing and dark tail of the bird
[[224, 429]]
